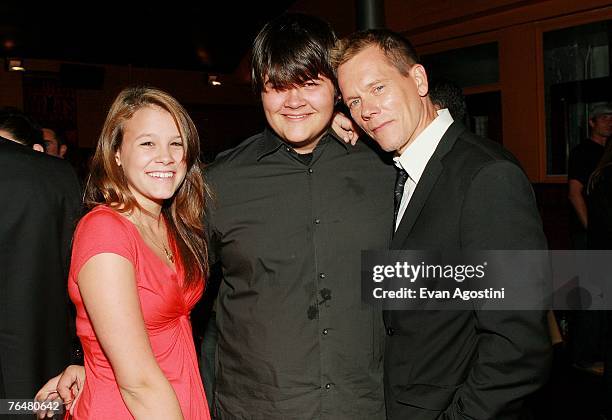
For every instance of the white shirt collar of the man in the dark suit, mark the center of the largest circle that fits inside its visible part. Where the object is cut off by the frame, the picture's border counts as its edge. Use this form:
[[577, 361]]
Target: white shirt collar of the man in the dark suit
[[414, 159]]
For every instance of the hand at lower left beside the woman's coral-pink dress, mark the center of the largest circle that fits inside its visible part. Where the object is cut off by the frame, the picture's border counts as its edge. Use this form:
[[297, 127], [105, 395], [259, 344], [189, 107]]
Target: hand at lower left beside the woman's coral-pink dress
[[66, 386]]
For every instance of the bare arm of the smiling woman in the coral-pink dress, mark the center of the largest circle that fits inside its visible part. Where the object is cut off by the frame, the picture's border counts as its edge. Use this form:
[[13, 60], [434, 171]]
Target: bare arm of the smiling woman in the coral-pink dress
[[108, 288]]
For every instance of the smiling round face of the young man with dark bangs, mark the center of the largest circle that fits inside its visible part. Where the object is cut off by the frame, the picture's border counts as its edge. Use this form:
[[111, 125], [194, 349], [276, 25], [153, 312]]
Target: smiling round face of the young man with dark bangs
[[300, 115]]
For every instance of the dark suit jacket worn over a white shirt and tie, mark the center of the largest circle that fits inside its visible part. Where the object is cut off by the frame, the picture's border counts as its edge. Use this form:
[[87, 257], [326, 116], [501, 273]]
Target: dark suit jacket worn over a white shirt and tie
[[466, 364]]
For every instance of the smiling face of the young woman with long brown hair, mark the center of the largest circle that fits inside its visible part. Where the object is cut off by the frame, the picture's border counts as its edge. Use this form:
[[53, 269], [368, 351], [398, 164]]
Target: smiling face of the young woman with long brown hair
[[152, 156]]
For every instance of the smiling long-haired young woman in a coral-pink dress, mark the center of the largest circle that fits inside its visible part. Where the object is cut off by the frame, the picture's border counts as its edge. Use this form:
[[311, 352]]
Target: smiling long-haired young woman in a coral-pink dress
[[138, 264]]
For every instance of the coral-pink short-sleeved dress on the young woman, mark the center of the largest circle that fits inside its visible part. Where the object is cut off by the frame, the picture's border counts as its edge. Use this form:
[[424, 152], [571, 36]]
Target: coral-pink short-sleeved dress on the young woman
[[165, 307]]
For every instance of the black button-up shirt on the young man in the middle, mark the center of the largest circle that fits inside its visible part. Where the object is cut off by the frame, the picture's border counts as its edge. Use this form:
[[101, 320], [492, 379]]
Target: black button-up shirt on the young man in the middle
[[295, 340]]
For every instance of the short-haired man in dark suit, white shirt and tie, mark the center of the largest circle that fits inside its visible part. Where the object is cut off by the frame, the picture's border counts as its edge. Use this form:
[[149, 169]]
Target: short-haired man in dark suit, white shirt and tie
[[460, 192]]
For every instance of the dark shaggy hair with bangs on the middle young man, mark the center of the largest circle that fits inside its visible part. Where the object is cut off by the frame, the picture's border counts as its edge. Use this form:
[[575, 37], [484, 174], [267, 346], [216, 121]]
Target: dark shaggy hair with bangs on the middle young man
[[291, 50]]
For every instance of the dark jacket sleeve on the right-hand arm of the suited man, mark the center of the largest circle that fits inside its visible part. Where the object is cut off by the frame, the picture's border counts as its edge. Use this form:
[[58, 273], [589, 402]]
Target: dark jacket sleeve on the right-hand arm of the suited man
[[513, 346]]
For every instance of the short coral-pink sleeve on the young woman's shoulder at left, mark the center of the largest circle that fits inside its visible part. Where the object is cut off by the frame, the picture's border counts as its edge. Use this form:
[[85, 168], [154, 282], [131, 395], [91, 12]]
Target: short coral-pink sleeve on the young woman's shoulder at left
[[100, 232]]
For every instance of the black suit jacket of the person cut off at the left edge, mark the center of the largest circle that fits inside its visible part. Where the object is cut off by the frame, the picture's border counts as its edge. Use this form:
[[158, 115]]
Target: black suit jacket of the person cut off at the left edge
[[40, 204]]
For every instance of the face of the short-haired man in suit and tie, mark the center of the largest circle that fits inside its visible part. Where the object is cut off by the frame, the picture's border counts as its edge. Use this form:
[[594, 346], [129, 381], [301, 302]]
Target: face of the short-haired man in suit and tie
[[391, 108]]
